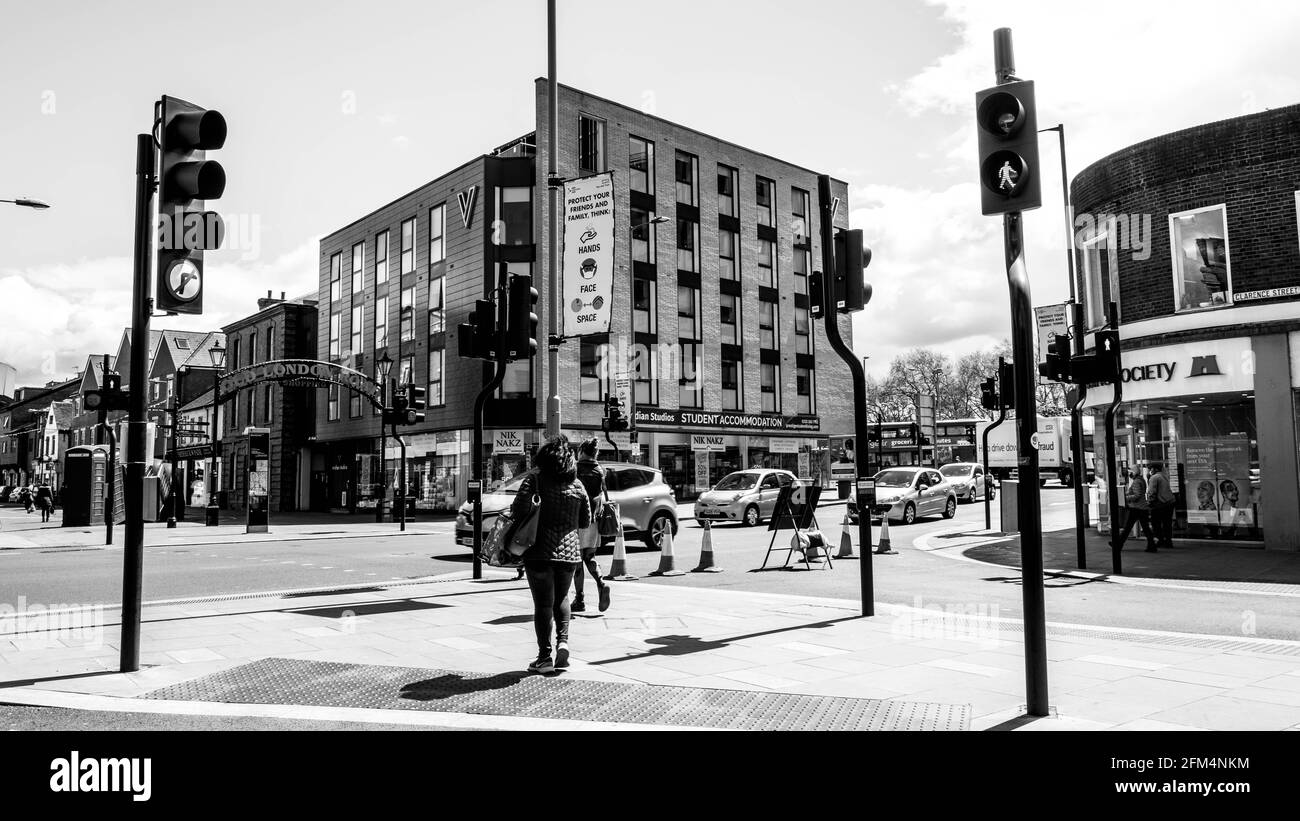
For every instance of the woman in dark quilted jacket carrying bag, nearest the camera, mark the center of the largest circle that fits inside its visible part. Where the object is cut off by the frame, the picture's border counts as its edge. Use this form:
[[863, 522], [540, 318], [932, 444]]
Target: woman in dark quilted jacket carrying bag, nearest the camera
[[556, 555]]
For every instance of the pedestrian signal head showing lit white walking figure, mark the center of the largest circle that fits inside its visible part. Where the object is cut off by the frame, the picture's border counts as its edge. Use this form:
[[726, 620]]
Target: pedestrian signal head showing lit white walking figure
[[1008, 149]]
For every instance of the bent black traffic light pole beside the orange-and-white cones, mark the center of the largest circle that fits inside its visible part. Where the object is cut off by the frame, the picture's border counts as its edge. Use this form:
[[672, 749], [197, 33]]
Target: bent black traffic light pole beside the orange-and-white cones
[[860, 390]]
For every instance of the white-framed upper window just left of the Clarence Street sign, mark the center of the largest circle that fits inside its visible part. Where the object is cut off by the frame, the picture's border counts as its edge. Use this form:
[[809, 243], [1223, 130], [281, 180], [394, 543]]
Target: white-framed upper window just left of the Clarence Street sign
[[1203, 276]]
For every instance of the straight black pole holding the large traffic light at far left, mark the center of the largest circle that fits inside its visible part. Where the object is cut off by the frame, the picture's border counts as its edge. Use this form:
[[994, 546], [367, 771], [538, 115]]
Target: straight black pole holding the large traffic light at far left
[[137, 425]]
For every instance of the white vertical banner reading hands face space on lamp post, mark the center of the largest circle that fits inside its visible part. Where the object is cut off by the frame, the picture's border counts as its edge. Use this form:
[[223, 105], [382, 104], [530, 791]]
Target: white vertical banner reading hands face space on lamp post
[[588, 255]]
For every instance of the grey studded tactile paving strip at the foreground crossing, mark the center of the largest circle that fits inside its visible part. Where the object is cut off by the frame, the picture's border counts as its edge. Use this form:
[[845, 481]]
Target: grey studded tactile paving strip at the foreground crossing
[[332, 684]]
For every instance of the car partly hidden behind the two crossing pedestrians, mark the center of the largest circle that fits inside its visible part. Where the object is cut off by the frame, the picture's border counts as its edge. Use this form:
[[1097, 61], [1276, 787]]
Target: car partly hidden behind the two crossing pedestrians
[[647, 505]]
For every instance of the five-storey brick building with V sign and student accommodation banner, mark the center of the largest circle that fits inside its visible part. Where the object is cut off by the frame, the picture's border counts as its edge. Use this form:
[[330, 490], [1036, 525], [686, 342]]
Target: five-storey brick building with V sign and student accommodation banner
[[710, 310]]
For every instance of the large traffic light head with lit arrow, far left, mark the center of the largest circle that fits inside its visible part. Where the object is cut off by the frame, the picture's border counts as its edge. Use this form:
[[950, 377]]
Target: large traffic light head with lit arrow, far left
[[187, 179]]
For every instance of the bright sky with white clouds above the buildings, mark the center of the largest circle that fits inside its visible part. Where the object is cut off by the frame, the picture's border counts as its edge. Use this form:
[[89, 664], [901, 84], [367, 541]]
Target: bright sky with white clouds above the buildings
[[337, 108]]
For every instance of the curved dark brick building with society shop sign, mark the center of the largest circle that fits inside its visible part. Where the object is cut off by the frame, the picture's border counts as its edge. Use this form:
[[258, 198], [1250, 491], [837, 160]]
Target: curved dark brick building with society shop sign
[[1195, 237]]
